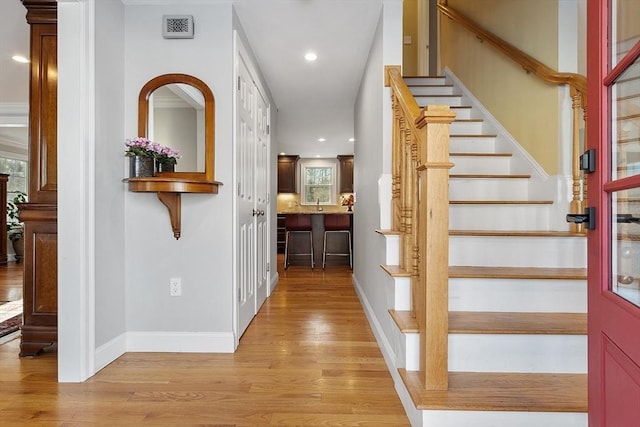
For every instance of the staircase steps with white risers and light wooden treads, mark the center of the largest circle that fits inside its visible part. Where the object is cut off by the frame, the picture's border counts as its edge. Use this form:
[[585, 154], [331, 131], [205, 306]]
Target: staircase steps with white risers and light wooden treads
[[517, 290]]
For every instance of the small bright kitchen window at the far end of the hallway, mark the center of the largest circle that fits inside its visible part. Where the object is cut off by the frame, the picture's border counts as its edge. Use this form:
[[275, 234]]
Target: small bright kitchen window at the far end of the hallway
[[318, 182]]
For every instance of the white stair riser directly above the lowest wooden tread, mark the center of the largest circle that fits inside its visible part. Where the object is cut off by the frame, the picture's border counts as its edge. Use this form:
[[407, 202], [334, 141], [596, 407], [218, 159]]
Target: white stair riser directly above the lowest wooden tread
[[518, 353]]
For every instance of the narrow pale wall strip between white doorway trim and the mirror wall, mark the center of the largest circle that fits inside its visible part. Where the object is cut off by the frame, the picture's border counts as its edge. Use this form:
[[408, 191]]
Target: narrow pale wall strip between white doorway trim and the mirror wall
[[109, 201]]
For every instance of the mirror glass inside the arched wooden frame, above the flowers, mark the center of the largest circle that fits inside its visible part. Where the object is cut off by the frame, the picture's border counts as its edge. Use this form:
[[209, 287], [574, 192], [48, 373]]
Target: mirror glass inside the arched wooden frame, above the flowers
[[176, 119]]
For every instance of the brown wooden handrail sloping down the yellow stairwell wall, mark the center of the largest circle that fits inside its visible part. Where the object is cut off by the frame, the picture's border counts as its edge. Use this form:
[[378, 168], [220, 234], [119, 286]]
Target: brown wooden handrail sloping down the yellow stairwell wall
[[531, 65]]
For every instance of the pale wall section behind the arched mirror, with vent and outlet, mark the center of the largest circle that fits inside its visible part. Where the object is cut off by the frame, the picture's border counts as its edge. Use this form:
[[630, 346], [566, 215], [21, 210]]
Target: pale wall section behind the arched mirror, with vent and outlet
[[201, 319]]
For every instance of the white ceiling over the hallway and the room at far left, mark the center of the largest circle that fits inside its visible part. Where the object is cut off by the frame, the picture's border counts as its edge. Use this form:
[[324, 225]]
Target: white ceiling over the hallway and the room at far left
[[314, 99]]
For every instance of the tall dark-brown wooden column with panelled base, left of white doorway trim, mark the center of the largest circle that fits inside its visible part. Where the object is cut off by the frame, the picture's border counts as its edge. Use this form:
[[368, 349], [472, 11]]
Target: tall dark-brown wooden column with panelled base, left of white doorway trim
[[40, 293]]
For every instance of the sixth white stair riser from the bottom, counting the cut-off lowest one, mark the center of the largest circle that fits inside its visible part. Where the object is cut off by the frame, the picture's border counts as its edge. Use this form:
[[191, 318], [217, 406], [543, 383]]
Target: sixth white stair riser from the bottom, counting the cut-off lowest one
[[488, 189]]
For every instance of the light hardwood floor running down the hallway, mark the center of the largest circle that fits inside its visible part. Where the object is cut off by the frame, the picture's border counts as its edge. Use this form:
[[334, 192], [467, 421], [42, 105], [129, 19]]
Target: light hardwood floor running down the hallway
[[309, 358]]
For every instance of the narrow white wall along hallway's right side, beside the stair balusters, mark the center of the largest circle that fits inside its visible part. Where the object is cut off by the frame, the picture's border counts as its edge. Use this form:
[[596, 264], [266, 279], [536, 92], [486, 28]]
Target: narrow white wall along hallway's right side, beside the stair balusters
[[373, 117]]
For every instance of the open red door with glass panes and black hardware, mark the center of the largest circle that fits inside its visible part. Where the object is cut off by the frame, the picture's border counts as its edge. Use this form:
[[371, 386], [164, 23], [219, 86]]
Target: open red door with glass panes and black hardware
[[613, 130]]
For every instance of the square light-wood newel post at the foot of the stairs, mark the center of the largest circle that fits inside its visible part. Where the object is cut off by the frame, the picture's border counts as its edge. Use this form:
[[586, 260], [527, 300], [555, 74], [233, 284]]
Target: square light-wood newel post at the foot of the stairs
[[432, 307]]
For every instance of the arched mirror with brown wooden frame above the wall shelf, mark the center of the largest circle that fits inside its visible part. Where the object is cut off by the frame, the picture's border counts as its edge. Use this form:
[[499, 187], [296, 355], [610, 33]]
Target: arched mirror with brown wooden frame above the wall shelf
[[177, 110]]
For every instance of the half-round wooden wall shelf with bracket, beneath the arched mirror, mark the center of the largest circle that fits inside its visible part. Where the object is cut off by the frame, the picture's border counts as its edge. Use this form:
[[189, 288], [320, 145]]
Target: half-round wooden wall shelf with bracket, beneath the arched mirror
[[169, 191]]
